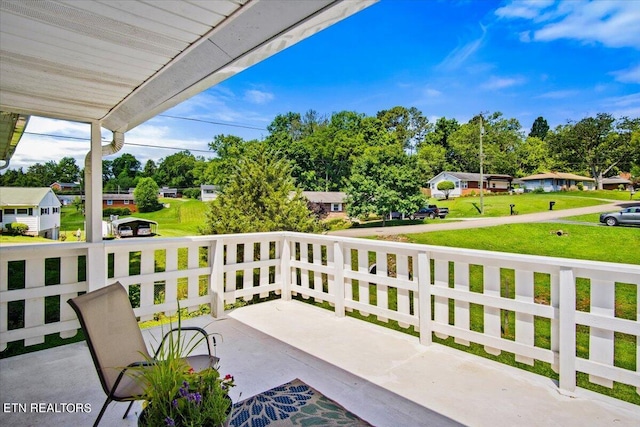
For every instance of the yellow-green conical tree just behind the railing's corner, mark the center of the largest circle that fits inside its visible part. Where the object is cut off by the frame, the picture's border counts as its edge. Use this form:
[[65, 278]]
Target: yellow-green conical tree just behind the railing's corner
[[260, 196]]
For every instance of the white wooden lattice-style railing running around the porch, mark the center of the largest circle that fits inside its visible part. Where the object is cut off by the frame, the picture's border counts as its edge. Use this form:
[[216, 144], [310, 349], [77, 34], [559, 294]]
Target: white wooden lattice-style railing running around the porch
[[520, 304]]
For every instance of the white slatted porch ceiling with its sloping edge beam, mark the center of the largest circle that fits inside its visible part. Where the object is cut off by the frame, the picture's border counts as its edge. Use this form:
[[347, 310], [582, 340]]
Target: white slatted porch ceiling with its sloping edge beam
[[123, 62]]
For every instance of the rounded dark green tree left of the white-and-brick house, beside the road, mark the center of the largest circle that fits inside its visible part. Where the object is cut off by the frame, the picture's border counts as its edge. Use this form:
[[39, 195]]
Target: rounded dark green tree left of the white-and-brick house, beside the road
[[384, 179]]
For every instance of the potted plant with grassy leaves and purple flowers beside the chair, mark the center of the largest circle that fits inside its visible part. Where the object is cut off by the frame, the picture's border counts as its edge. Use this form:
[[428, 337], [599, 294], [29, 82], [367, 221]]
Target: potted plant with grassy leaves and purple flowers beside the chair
[[176, 395]]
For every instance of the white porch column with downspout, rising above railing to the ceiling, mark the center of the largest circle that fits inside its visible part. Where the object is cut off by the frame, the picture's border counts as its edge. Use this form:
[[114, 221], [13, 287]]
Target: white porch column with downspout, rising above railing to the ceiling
[[93, 187]]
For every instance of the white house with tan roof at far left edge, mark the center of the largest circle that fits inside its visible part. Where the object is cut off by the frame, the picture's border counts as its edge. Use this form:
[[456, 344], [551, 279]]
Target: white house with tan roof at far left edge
[[39, 208]]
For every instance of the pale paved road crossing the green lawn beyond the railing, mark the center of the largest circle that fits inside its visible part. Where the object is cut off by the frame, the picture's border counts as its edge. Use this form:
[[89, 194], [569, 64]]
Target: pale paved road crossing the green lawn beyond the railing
[[457, 224]]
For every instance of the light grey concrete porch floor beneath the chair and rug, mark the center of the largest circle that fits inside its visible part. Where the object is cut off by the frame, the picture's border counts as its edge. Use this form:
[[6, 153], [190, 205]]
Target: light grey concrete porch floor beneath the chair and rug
[[383, 376]]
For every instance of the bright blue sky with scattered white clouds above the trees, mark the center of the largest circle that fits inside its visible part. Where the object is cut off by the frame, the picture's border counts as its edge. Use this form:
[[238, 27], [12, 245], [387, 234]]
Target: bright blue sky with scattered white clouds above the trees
[[561, 60]]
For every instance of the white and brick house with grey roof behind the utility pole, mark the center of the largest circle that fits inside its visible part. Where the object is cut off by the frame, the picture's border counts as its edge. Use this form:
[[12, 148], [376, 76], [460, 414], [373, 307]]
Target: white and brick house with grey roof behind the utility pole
[[466, 183]]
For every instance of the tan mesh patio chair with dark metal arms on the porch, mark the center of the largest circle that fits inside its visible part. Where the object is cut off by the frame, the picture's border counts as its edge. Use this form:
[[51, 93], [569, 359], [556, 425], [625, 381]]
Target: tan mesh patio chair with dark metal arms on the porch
[[116, 343]]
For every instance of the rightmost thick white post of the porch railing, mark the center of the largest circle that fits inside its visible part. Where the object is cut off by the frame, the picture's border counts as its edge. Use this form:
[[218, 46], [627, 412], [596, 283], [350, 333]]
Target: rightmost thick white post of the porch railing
[[567, 331]]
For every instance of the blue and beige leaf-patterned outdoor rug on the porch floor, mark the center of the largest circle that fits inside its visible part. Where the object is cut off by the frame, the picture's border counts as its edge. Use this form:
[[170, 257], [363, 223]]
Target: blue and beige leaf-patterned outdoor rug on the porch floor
[[292, 404]]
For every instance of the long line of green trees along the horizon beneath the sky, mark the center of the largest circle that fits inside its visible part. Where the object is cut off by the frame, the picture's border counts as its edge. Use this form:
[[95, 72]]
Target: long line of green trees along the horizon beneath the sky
[[322, 150]]
